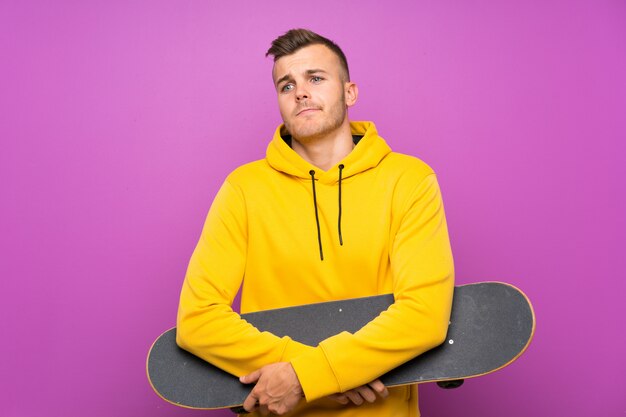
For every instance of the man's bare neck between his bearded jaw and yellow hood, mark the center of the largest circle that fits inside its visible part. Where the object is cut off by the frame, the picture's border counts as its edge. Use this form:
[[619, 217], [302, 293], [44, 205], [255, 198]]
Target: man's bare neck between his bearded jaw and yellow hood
[[326, 151]]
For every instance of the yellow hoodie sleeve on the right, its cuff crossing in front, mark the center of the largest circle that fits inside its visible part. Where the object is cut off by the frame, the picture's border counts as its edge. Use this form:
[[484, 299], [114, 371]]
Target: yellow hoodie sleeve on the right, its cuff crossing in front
[[423, 285]]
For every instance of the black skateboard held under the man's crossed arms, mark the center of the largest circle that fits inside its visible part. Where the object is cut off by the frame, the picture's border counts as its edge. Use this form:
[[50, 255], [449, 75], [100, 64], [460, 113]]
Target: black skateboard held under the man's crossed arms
[[491, 325]]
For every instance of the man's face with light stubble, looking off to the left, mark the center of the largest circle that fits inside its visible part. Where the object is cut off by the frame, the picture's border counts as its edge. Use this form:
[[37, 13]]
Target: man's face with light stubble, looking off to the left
[[313, 94]]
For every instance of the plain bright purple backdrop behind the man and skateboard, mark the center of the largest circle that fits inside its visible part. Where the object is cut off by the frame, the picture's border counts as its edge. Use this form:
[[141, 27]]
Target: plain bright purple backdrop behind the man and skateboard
[[120, 120]]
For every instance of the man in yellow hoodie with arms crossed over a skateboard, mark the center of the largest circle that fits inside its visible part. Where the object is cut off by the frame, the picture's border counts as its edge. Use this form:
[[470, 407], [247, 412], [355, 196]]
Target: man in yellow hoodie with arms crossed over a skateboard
[[330, 213]]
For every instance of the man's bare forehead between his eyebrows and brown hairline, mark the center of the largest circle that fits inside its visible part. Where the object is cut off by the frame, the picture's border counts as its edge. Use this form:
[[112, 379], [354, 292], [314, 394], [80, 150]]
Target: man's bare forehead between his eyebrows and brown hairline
[[309, 57]]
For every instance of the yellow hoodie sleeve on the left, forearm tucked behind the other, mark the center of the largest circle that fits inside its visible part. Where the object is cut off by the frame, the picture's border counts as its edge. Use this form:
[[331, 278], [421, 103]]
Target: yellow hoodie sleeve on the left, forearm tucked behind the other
[[207, 326]]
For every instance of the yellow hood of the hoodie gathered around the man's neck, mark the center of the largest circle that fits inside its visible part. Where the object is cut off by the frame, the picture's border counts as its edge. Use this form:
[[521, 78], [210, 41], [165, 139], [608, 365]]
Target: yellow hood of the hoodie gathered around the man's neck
[[368, 153]]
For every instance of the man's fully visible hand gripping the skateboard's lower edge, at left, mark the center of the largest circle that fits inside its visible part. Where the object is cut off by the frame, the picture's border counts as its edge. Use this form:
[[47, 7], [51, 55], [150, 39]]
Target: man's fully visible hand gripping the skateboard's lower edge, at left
[[277, 389]]
